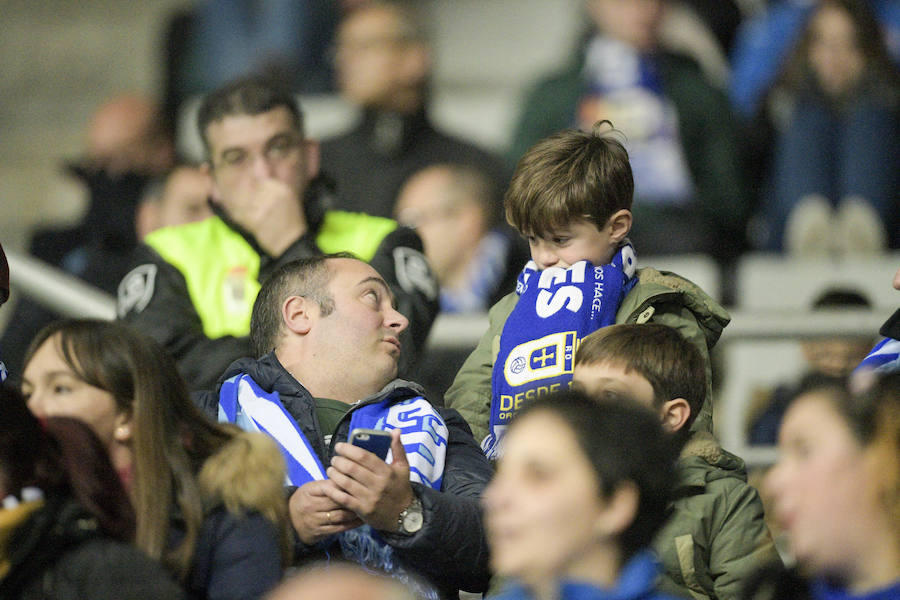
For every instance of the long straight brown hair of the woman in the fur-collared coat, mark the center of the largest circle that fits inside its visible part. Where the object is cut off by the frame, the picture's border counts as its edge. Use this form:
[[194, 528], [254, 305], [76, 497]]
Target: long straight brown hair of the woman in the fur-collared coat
[[171, 438]]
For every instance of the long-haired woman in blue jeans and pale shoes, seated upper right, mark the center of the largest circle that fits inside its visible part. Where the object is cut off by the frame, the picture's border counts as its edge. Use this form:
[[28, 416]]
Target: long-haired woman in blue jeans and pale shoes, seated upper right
[[835, 174]]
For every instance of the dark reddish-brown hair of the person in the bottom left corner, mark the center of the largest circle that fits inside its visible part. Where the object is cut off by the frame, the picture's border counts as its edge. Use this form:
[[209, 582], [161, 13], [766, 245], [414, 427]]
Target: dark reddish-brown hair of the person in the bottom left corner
[[63, 458]]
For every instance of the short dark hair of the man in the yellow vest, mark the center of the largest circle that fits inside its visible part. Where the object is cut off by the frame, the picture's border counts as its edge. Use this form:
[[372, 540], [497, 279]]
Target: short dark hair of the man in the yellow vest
[[248, 96]]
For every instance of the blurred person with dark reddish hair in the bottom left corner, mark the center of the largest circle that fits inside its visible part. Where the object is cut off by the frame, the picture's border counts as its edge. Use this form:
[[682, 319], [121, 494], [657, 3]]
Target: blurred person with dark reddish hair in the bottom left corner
[[66, 525]]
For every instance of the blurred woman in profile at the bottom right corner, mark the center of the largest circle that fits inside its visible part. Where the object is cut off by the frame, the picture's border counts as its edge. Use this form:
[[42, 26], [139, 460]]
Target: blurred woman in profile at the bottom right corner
[[836, 489]]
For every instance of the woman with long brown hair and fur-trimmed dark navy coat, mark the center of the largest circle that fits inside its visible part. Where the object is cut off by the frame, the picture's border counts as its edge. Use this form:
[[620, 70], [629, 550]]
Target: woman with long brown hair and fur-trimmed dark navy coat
[[208, 499]]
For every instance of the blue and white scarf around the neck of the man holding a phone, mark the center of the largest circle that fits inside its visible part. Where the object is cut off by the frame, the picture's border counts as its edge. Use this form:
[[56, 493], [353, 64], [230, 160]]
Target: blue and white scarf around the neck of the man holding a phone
[[423, 433]]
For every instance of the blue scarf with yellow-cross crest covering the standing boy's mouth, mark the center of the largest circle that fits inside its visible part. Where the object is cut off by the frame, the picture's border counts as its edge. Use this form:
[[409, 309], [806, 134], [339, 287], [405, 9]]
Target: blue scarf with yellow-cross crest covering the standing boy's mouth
[[556, 309]]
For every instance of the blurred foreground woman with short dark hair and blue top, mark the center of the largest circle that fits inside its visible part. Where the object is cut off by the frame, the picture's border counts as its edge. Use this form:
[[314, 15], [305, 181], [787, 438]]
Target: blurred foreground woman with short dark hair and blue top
[[579, 493]]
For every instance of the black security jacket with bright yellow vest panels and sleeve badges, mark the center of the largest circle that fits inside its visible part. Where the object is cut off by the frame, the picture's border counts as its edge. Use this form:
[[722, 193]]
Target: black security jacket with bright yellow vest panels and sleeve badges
[[195, 284]]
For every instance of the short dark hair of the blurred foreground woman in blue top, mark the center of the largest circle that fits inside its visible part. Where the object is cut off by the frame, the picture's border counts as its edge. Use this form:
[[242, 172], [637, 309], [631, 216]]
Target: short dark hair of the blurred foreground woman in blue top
[[624, 442]]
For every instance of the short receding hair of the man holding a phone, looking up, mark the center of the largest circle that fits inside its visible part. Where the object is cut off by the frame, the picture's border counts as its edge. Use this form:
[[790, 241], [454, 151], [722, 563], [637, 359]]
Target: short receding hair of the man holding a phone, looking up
[[306, 277]]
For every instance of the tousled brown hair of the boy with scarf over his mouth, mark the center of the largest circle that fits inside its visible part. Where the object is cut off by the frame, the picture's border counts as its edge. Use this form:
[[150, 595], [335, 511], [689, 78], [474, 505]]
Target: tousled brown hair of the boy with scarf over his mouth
[[567, 177]]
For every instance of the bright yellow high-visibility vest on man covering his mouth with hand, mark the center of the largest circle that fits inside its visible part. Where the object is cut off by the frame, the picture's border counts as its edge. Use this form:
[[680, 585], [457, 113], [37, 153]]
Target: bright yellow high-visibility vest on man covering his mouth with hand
[[221, 268]]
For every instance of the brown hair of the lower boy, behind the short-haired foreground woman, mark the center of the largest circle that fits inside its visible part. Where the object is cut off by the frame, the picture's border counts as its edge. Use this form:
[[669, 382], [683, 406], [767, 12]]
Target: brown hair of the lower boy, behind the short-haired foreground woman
[[658, 353]]
